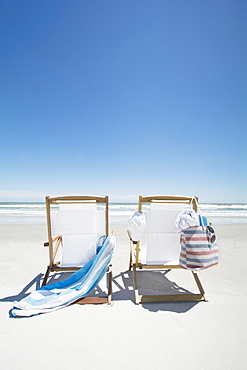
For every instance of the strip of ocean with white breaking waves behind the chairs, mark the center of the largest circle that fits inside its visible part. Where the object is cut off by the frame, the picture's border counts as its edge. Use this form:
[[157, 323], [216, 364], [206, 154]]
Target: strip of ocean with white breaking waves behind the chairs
[[35, 213]]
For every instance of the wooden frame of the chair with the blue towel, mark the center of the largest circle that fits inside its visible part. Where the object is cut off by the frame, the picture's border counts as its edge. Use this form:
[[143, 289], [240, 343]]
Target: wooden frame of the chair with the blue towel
[[53, 249]]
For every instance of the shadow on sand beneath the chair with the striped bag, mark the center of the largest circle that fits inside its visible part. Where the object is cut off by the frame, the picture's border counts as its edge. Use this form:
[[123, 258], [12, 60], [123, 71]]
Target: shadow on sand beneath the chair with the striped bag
[[155, 280]]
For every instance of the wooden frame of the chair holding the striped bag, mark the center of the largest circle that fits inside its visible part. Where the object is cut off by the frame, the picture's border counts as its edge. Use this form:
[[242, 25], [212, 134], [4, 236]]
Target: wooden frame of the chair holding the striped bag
[[135, 263]]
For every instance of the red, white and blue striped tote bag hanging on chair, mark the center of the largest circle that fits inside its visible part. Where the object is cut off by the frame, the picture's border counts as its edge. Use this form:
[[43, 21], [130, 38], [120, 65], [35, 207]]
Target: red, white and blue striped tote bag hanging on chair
[[198, 248]]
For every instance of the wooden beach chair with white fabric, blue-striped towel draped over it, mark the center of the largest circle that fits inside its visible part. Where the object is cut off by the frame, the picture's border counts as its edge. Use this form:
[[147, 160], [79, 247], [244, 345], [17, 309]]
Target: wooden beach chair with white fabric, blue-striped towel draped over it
[[74, 223]]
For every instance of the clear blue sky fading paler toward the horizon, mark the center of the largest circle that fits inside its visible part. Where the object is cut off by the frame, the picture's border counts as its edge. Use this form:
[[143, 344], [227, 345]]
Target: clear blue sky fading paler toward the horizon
[[123, 98]]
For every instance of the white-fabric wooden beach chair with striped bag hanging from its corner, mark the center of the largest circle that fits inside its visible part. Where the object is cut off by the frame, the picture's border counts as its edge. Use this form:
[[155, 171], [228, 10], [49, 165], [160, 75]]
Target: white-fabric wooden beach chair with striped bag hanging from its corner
[[161, 248]]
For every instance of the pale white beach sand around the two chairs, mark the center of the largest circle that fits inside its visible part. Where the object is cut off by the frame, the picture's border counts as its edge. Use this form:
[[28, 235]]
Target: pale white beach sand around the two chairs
[[205, 335]]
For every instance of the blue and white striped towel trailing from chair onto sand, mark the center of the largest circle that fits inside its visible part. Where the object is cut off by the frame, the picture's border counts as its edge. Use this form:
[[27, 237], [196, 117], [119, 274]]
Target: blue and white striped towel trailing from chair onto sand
[[81, 283]]
